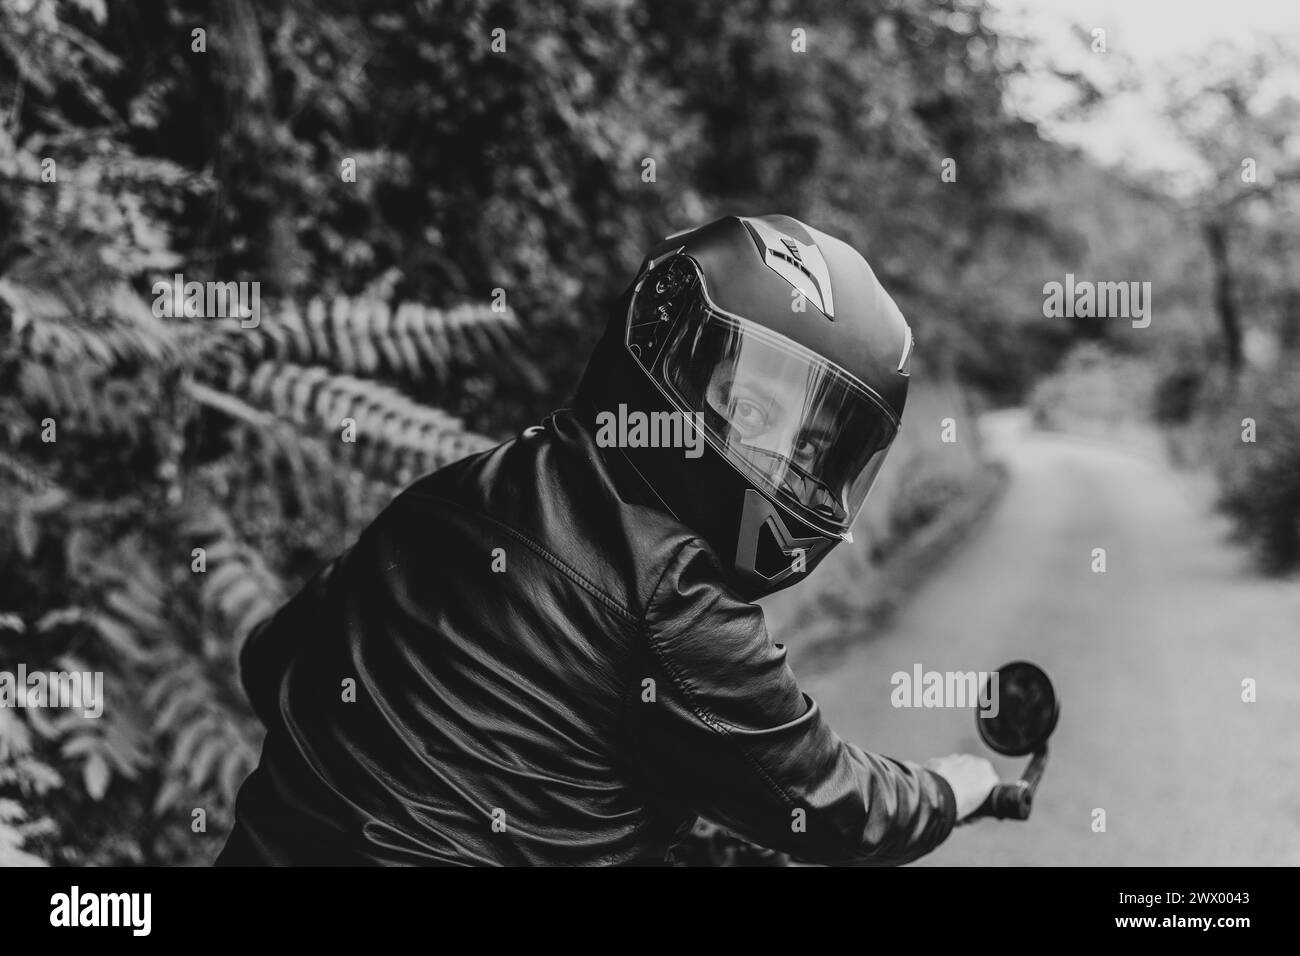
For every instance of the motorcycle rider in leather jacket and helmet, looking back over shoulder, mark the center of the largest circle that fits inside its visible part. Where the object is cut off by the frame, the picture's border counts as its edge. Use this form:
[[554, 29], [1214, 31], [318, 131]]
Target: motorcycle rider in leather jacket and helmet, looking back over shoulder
[[549, 654]]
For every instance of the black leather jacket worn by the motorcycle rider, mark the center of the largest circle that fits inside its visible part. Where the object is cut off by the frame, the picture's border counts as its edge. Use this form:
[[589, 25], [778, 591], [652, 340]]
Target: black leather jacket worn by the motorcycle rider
[[522, 663]]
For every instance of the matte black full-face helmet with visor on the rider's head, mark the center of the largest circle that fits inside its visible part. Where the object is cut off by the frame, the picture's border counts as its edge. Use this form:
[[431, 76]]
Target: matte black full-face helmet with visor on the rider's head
[[781, 345]]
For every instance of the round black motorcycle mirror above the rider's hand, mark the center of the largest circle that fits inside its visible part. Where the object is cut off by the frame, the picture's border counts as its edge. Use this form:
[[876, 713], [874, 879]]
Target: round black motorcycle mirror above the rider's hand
[[1025, 710]]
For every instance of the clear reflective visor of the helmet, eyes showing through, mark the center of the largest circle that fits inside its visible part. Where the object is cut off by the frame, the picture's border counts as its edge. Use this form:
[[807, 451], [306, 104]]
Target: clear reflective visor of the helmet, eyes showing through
[[801, 429]]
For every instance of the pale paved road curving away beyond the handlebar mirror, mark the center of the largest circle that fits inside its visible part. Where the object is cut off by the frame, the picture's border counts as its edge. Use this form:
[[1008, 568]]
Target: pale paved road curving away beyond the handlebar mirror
[[1149, 660]]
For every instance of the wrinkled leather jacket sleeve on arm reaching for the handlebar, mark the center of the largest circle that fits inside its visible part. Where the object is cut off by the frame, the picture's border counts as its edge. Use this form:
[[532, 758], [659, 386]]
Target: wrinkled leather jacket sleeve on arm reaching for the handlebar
[[729, 733]]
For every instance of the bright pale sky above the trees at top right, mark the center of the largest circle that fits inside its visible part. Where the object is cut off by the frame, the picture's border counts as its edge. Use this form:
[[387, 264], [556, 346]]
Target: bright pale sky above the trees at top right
[[1145, 38]]
